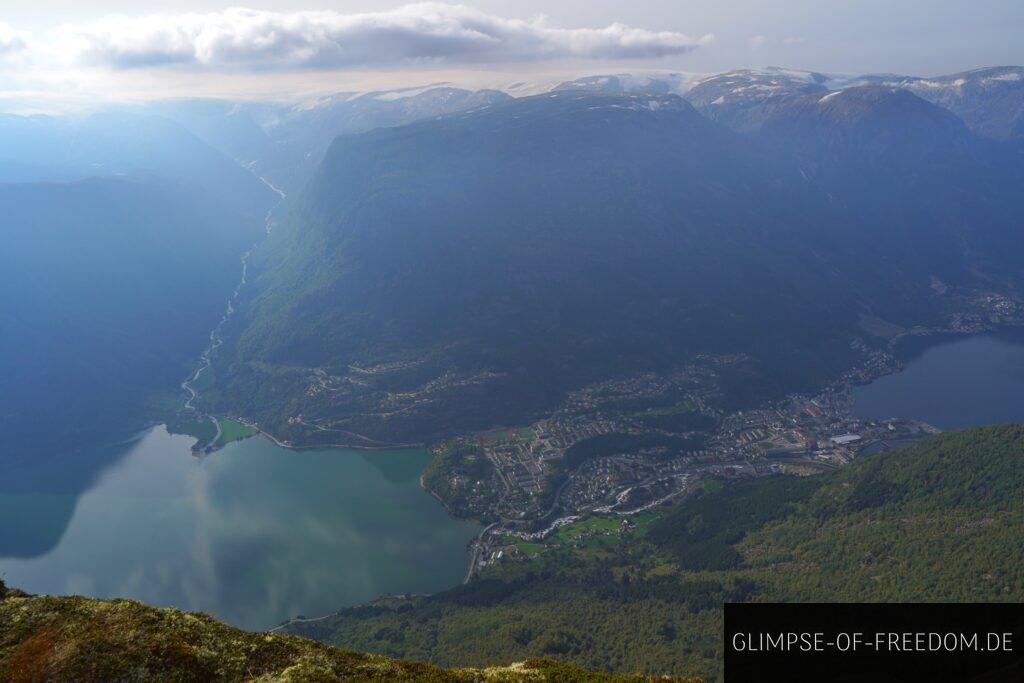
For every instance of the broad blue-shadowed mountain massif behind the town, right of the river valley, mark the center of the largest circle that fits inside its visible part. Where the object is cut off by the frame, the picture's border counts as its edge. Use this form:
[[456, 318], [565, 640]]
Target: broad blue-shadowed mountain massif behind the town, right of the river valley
[[465, 272]]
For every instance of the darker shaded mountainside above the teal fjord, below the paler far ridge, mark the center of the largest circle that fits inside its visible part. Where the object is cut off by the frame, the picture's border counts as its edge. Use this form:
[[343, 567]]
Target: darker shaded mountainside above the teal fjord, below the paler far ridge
[[110, 288]]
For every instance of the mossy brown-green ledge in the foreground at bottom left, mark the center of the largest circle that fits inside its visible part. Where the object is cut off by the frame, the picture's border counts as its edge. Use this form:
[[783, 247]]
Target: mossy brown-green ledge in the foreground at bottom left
[[47, 638]]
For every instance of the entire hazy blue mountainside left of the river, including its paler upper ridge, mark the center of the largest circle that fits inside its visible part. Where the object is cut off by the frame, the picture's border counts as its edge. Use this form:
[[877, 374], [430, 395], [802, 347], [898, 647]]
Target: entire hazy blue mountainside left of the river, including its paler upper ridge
[[122, 234]]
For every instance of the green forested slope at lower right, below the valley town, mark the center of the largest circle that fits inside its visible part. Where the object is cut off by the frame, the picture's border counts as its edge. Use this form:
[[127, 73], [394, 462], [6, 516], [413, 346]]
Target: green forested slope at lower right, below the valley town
[[941, 521]]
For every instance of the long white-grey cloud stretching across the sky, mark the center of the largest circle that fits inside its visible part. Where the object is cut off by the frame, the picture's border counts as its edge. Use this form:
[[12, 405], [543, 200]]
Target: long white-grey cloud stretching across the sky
[[426, 33]]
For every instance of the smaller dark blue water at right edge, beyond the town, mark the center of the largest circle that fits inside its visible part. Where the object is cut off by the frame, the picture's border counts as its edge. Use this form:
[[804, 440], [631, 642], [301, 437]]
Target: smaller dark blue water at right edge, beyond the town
[[963, 382]]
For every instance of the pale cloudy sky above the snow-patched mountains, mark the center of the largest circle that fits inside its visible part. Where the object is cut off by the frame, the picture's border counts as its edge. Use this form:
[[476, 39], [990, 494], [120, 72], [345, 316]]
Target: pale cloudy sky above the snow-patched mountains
[[76, 52]]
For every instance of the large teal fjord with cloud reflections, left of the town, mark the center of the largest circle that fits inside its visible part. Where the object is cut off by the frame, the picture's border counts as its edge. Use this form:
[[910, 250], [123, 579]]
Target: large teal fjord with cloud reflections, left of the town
[[253, 534]]
